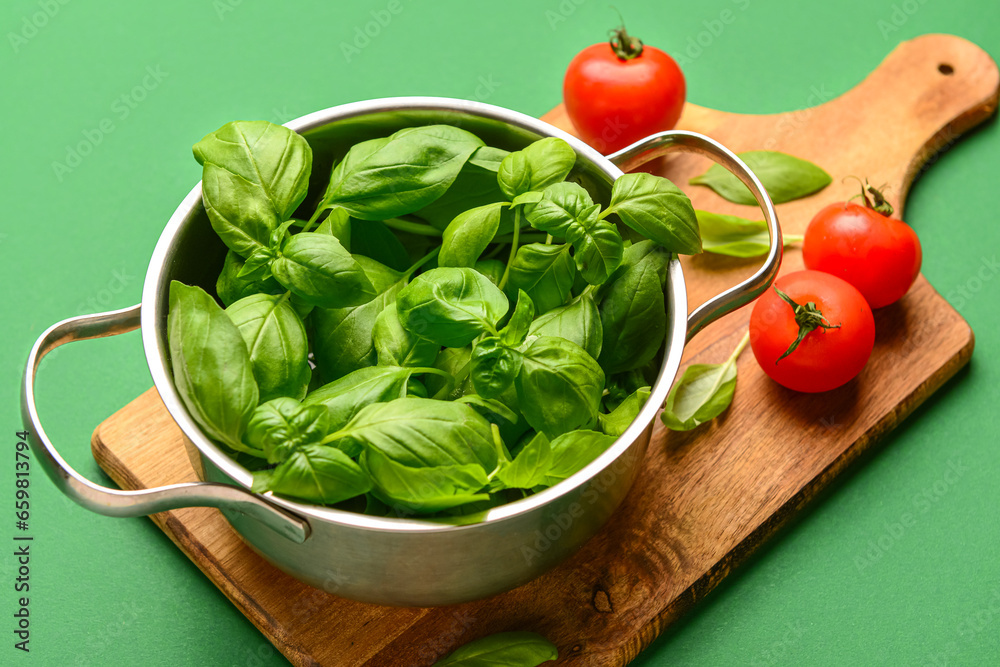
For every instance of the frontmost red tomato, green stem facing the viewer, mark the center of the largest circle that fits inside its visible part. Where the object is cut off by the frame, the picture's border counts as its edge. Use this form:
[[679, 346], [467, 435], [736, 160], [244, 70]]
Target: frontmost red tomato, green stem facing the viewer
[[825, 358]]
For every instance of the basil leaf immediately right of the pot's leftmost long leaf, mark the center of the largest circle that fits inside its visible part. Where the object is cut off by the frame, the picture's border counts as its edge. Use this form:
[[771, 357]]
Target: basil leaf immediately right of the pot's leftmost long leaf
[[276, 340]]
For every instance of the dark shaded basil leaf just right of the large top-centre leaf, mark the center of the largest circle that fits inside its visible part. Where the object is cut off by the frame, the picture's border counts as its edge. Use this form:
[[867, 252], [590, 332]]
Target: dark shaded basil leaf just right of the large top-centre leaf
[[475, 186]]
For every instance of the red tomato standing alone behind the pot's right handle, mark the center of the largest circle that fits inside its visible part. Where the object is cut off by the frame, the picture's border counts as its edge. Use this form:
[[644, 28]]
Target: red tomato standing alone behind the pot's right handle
[[621, 91]]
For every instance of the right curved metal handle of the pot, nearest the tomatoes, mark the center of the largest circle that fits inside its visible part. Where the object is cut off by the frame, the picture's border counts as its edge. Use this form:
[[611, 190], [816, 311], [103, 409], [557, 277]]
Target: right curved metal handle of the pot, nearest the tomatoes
[[662, 143]]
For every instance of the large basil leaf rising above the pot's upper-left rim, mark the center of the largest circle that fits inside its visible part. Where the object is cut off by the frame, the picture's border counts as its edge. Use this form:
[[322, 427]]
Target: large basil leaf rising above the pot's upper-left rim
[[255, 175]]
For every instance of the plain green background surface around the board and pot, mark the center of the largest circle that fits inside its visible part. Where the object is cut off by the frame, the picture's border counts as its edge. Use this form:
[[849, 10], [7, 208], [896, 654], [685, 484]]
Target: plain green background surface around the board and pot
[[115, 591]]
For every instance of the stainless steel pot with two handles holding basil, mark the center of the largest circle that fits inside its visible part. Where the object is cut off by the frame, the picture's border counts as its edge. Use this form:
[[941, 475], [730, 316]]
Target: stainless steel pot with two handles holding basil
[[393, 560]]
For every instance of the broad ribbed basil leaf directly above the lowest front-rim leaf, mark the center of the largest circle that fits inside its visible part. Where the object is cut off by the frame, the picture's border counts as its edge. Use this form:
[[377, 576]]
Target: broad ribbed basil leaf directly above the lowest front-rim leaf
[[421, 432]]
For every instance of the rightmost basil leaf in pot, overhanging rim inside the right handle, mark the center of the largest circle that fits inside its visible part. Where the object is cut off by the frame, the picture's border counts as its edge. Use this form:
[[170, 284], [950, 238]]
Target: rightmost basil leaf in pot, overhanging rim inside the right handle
[[657, 209]]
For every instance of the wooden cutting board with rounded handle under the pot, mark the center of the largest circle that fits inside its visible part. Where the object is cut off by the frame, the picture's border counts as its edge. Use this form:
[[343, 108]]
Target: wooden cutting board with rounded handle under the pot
[[706, 499]]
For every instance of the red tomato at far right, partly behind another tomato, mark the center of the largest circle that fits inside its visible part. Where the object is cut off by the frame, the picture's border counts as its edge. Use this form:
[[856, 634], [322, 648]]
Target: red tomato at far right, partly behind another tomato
[[877, 254]]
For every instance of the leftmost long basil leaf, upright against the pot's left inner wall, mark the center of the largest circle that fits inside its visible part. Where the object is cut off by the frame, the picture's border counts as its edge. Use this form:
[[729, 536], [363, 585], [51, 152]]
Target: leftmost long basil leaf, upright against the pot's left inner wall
[[211, 366]]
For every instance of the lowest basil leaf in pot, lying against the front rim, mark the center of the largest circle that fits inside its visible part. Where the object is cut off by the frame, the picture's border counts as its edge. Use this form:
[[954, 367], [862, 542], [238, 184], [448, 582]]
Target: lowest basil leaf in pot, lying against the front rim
[[424, 489]]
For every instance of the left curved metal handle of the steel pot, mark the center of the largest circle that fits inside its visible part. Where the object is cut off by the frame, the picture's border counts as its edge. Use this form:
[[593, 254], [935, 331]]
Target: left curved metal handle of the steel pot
[[114, 502]]
